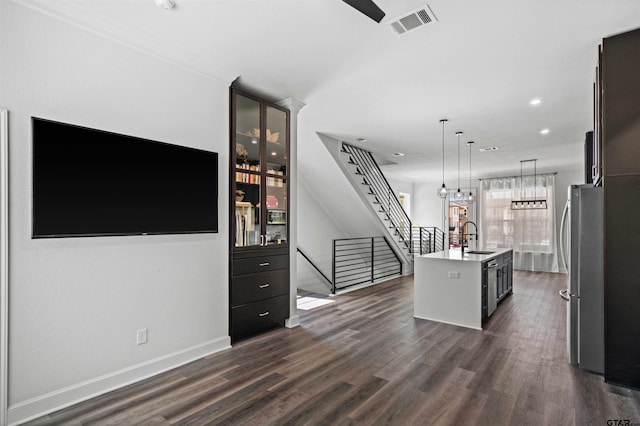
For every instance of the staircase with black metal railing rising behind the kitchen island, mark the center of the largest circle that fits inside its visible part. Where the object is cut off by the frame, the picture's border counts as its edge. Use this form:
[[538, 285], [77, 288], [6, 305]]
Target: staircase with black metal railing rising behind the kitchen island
[[366, 176]]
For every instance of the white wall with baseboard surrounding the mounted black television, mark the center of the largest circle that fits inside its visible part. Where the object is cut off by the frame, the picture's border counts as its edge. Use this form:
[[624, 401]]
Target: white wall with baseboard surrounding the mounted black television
[[76, 303]]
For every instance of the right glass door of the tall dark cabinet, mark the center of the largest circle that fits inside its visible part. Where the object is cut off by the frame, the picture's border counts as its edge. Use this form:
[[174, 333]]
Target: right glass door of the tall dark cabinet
[[276, 173]]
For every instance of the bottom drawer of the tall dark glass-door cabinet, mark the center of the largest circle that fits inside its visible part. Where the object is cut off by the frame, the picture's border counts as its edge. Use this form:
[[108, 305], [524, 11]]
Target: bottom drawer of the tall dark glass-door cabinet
[[256, 317]]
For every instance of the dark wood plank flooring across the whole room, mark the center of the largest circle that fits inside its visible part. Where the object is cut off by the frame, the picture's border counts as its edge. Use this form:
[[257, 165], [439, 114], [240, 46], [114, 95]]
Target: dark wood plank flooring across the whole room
[[365, 360]]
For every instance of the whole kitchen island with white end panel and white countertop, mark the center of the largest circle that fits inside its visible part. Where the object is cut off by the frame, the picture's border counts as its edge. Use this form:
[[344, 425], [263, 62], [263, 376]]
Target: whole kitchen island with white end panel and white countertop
[[461, 290]]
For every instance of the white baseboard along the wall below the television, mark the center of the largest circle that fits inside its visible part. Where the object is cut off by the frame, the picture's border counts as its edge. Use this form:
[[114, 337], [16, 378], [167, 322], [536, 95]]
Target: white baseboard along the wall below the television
[[54, 401]]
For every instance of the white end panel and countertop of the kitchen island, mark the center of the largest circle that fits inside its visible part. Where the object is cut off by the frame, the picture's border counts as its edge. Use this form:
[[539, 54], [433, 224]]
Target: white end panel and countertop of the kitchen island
[[448, 287]]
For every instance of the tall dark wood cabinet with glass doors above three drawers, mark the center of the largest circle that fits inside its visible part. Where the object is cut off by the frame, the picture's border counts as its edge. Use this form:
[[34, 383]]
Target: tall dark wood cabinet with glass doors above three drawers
[[258, 219]]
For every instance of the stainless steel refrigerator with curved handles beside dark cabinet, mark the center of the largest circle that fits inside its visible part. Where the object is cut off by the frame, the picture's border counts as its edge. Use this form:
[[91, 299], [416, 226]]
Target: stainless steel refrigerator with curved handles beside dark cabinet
[[582, 250]]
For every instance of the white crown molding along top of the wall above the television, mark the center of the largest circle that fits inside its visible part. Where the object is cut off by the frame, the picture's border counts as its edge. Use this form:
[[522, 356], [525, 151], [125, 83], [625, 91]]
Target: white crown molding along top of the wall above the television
[[80, 16]]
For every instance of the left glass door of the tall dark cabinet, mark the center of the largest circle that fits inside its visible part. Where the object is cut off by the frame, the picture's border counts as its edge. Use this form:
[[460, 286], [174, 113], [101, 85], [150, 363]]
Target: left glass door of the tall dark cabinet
[[248, 230]]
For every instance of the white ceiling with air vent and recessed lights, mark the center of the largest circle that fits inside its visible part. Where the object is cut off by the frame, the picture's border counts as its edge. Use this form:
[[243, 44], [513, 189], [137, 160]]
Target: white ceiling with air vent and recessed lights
[[478, 66]]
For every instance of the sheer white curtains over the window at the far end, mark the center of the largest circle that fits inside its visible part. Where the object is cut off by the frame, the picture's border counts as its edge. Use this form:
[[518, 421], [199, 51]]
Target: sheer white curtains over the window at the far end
[[530, 233]]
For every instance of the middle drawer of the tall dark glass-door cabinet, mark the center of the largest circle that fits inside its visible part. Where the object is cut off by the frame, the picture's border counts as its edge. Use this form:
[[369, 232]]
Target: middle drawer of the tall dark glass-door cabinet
[[262, 285]]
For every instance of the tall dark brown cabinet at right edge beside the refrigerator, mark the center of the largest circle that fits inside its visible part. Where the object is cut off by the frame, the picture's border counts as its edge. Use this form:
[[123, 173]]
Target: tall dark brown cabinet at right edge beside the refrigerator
[[620, 97]]
